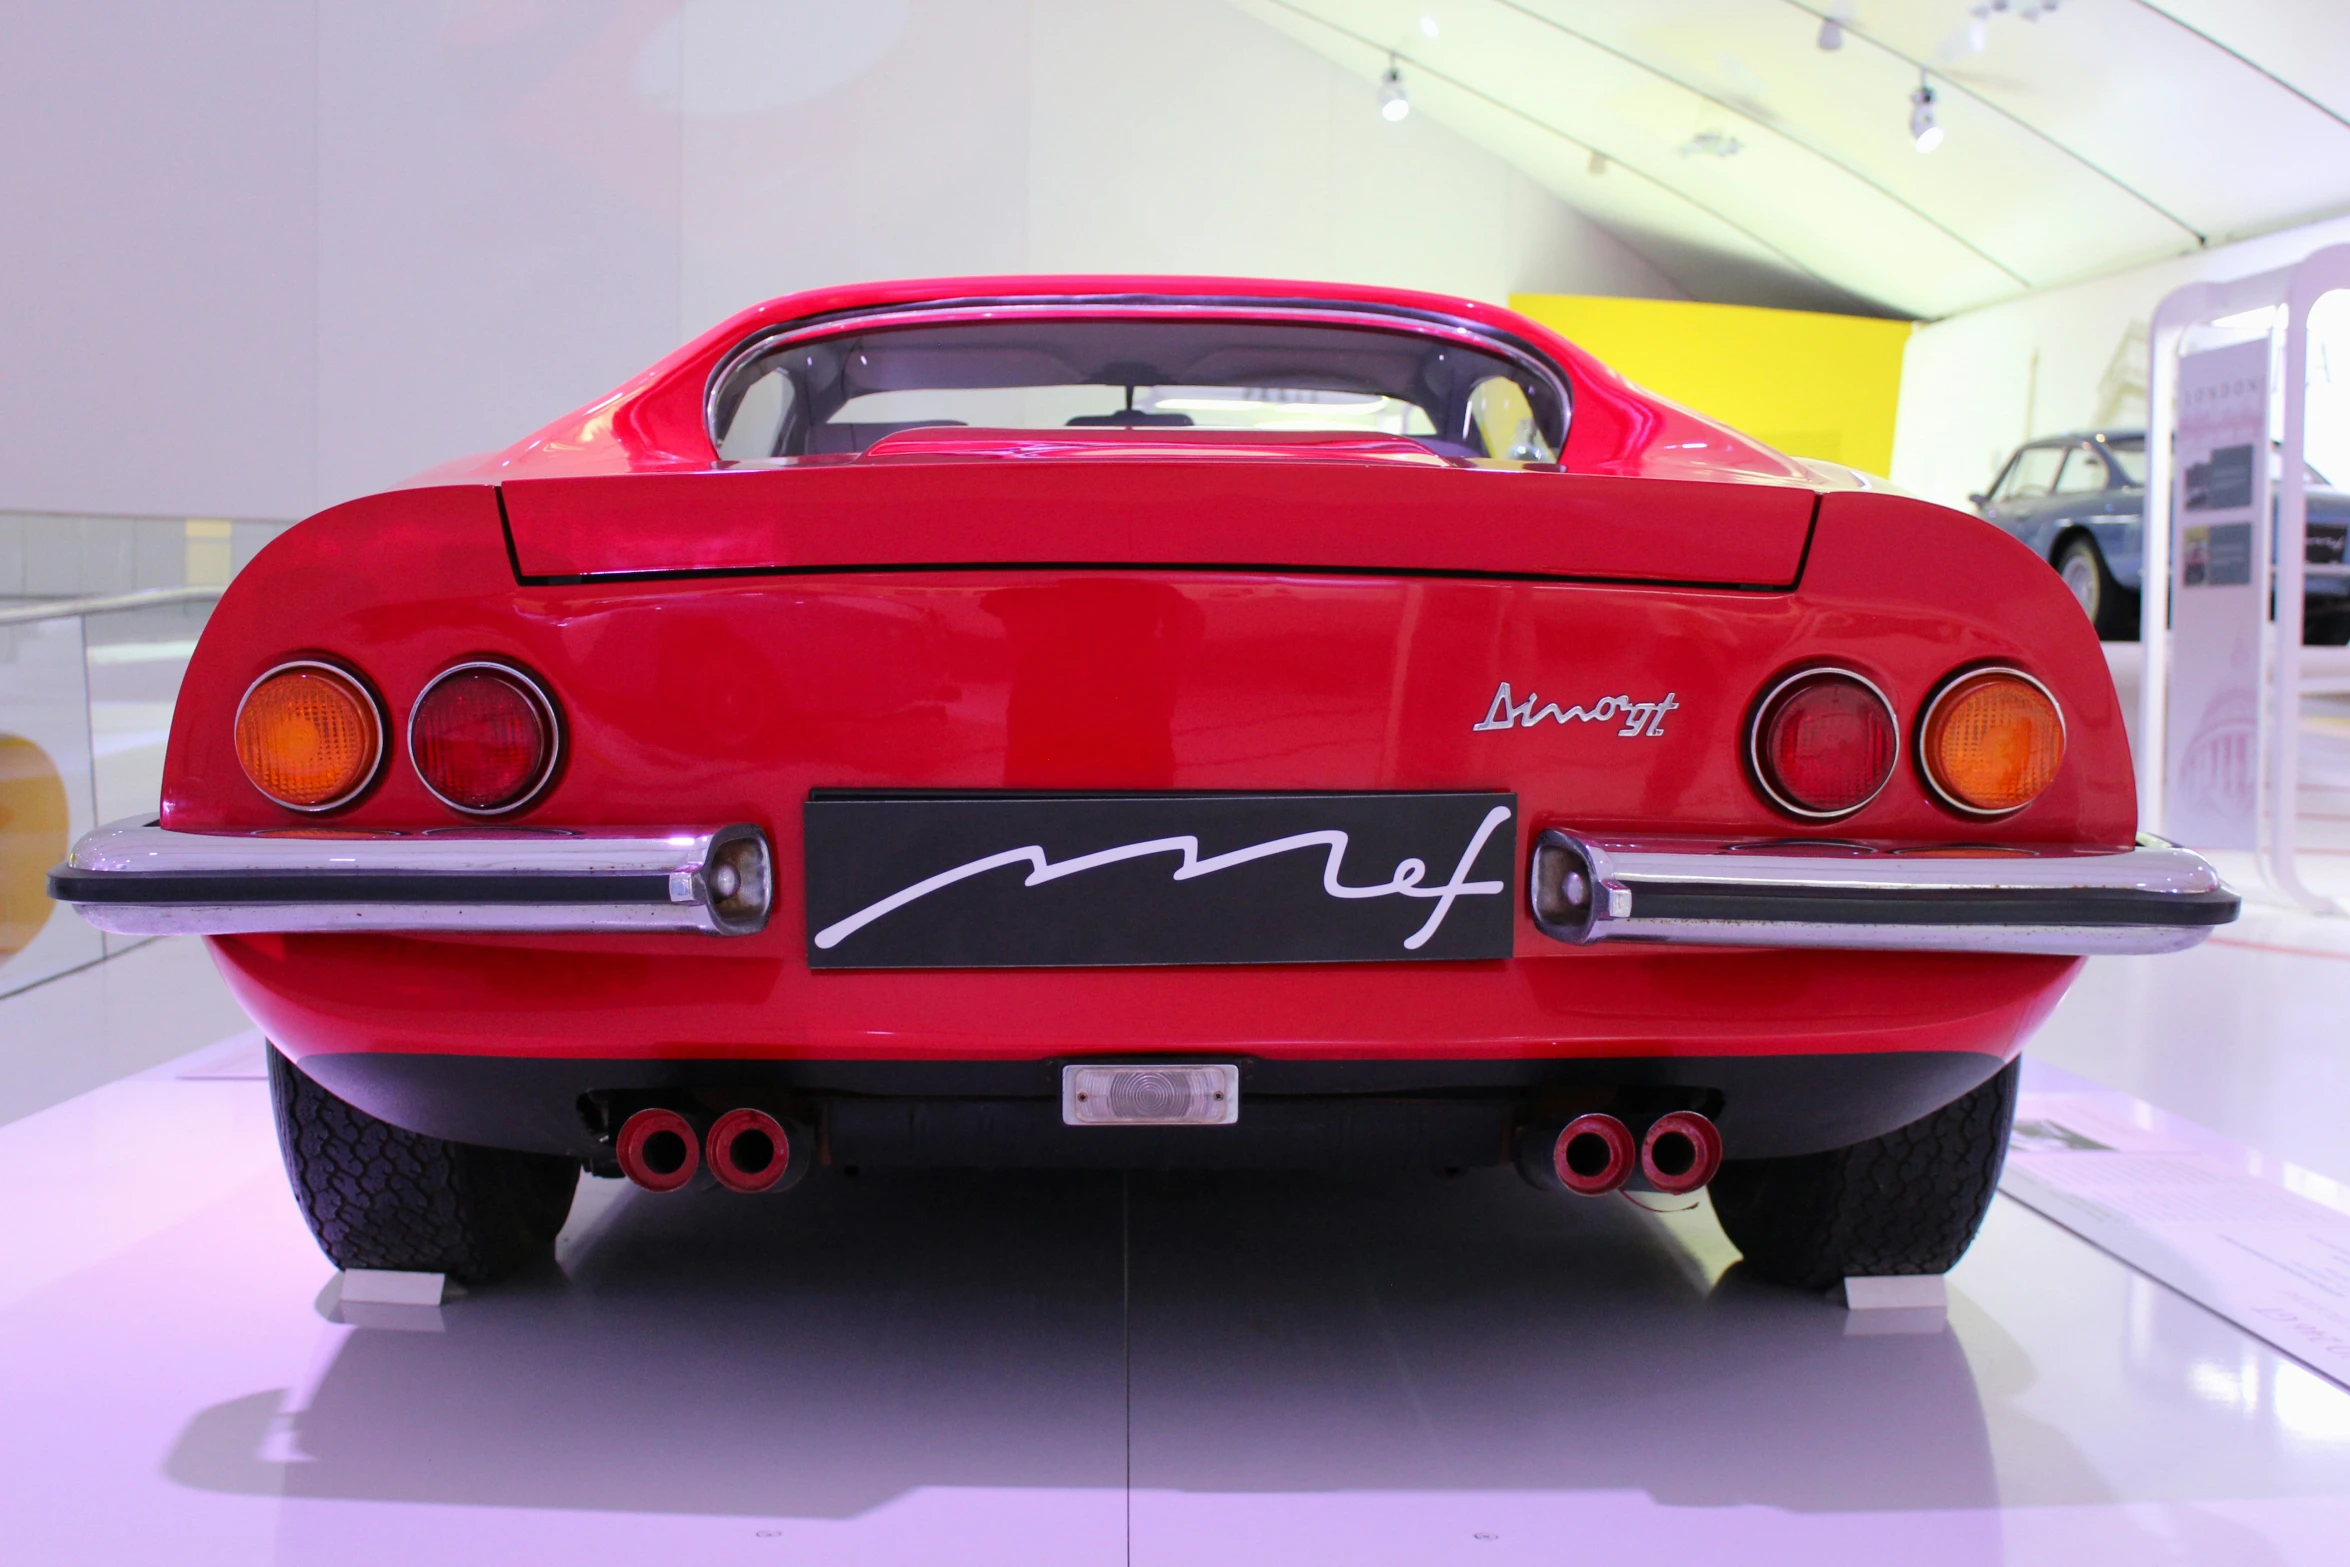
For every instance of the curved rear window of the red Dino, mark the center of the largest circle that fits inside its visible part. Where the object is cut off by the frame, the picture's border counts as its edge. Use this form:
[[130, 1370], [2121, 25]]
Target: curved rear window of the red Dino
[[838, 396]]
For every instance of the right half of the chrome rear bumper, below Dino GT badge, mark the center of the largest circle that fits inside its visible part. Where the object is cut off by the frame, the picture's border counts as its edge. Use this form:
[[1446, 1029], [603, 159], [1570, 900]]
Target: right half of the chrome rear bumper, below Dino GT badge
[[2149, 899]]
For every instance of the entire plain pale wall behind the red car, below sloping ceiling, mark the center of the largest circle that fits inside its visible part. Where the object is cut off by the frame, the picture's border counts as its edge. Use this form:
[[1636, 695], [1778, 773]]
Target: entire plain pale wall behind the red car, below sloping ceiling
[[271, 253]]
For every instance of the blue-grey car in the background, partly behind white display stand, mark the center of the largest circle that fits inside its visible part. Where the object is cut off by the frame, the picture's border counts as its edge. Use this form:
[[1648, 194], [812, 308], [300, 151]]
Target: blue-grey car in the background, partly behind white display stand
[[2079, 502]]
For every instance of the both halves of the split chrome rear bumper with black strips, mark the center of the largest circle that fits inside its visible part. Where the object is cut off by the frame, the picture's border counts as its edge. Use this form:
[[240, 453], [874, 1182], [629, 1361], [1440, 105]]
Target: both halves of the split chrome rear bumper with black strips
[[145, 880]]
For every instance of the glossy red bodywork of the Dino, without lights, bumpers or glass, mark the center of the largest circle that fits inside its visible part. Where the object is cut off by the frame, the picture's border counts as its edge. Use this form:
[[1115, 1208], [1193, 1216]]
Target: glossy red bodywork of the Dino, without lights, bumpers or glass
[[1016, 614]]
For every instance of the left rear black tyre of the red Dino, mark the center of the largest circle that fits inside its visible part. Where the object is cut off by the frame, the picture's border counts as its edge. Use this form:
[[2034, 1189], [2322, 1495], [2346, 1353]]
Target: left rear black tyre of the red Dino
[[387, 1199]]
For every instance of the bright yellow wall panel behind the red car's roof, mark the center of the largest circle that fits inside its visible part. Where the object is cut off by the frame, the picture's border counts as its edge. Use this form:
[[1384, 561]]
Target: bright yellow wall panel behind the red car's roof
[[1815, 386]]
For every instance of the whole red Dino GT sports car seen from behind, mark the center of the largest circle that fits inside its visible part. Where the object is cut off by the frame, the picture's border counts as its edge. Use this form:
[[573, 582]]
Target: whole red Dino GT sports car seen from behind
[[1146, 722]]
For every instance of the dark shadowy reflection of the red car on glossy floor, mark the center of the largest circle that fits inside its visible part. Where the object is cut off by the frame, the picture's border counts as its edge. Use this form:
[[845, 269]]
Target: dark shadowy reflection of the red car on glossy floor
[[1263, 1333]]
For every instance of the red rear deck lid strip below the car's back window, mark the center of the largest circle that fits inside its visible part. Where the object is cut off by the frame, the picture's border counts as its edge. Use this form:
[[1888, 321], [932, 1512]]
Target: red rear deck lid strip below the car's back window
[[1378, 509]]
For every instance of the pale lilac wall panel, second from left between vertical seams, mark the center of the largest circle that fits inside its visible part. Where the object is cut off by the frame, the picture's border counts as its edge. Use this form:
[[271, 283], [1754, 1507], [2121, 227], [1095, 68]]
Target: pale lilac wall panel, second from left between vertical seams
[[497, 227]]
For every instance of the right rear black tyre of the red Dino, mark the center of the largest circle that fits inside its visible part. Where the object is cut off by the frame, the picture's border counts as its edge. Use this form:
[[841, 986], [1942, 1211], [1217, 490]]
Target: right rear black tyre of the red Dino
[[1900, 1204]]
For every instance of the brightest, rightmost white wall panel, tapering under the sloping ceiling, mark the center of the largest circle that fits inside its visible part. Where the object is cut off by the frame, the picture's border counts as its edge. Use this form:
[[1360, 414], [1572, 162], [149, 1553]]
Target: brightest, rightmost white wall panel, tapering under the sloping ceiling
[[1193, 137]]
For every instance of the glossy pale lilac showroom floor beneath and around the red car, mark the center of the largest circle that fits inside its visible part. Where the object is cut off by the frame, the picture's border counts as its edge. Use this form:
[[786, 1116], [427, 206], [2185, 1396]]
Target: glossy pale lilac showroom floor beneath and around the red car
[[1096, 1368]]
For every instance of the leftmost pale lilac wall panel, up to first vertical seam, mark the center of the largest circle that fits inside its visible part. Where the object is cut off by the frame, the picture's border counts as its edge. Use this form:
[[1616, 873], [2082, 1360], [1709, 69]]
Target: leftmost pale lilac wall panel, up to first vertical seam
[[159, 217]]
